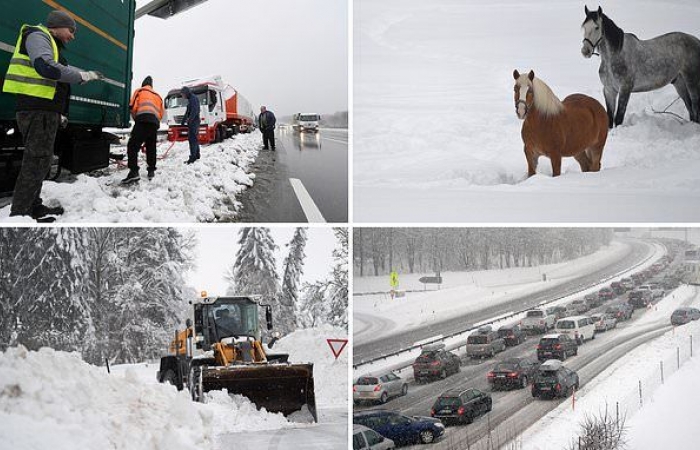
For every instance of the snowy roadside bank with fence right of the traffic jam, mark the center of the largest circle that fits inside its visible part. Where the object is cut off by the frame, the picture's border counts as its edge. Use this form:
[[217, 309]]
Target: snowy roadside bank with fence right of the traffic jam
[[667, 419]]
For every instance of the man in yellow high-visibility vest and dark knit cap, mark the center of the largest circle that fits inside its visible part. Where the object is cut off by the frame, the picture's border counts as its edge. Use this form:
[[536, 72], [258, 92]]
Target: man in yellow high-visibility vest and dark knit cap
[[41, 78]]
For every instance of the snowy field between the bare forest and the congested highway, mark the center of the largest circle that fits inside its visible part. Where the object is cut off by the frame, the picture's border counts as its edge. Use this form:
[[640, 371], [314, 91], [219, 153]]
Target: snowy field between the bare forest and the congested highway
[[471, 291]]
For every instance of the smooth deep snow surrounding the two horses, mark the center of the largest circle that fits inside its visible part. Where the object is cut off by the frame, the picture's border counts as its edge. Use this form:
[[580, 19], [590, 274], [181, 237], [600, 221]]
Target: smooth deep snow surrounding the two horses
[[436, 138]]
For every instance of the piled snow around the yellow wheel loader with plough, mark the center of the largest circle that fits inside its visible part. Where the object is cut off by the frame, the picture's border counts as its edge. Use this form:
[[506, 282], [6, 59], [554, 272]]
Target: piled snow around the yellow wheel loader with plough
[[55, 397]]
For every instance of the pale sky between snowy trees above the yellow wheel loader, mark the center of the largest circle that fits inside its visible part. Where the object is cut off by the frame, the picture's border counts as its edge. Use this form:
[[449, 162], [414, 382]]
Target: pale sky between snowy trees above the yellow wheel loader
[[217, 249]]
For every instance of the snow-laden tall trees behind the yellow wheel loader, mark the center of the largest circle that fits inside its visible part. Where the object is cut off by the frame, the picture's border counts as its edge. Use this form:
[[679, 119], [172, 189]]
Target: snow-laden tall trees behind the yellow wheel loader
[[120, 293]]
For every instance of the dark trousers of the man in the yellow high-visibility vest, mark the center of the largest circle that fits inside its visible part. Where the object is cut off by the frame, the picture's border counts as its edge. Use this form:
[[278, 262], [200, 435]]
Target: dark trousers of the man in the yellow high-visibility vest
[[38, 130]]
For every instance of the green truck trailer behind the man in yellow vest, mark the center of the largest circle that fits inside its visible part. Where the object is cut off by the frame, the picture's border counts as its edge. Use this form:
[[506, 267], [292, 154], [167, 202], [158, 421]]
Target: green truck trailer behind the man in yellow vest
[[104, 42]]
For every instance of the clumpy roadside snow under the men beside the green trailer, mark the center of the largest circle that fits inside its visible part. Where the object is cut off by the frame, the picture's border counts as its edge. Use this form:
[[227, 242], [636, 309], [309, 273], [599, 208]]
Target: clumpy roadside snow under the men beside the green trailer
[[201, 192]]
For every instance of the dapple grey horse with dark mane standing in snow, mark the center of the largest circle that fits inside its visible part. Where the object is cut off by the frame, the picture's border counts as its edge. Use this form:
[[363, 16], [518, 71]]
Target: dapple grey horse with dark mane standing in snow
[[629, 65]]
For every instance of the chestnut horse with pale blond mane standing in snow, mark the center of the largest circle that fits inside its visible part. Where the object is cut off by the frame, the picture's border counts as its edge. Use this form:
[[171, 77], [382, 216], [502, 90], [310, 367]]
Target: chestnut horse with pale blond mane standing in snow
[[575, 127]]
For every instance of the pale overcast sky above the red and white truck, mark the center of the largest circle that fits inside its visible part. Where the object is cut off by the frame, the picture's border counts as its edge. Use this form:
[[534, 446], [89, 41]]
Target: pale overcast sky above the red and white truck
[[288, 55]]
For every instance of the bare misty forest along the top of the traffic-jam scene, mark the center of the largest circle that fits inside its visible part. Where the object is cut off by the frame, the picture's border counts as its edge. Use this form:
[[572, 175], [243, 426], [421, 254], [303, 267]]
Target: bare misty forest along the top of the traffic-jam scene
[[380, 250]]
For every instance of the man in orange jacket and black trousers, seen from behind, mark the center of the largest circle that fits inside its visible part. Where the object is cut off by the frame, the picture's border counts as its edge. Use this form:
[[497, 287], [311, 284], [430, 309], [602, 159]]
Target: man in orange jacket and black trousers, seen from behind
[[147, 111]]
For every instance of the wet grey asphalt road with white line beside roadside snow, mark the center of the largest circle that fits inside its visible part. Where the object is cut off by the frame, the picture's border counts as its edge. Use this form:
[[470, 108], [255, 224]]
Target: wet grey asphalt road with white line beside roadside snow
[[320, 163]]
